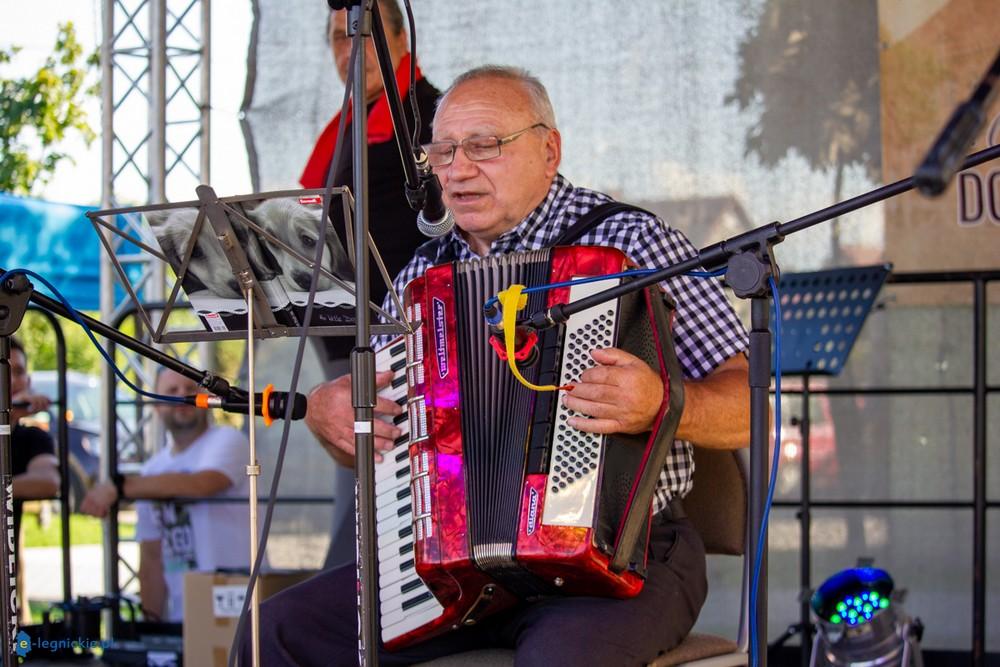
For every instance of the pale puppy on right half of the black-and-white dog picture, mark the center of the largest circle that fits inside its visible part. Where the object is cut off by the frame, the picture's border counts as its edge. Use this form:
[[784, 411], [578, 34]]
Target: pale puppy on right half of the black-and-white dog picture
[[298, 227]]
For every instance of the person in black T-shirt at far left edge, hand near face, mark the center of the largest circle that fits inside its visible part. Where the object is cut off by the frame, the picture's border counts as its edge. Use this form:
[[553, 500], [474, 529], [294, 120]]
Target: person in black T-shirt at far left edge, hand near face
[[34, 466]]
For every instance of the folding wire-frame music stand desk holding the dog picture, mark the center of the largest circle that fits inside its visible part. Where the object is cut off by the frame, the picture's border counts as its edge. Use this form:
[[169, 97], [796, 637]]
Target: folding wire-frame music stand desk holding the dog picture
[[243, 251]]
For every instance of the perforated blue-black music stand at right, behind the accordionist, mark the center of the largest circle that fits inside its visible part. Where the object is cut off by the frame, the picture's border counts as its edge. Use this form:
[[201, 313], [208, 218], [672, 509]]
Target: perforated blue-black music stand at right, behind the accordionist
[[821, 315]]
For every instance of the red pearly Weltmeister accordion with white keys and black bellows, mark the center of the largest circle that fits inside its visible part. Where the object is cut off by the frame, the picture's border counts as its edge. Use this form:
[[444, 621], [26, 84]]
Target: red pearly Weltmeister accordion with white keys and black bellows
[[490, 497]]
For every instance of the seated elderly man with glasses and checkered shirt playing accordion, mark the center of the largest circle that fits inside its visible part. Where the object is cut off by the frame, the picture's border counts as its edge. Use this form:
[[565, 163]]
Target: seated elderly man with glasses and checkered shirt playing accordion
[[497, 151]]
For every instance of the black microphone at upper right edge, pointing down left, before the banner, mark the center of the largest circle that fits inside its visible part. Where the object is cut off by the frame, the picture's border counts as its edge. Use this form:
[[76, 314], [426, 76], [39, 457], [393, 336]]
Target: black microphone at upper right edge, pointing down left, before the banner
[[946, 155]]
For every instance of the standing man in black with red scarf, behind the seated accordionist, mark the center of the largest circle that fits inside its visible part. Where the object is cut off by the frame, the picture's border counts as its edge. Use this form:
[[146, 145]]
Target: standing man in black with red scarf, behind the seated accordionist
[[392, 223]]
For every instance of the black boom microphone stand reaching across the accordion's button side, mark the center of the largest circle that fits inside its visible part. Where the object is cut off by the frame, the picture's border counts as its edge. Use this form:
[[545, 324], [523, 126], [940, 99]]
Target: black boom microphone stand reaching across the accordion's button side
[[749, 265]]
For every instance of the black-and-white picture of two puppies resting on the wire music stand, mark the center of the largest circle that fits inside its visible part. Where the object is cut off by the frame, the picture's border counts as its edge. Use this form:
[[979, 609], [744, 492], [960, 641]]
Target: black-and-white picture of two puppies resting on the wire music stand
[[279, 255]]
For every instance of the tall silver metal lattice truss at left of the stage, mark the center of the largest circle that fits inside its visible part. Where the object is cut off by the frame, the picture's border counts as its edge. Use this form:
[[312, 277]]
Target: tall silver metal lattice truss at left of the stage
[[155, 78]]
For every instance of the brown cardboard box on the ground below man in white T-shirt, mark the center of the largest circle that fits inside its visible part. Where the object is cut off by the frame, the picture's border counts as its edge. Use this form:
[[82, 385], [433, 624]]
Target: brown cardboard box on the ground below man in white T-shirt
[[212, 604]]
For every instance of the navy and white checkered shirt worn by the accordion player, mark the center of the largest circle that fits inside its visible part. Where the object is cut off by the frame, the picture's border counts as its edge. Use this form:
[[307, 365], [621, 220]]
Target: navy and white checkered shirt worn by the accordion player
[[706, 329]]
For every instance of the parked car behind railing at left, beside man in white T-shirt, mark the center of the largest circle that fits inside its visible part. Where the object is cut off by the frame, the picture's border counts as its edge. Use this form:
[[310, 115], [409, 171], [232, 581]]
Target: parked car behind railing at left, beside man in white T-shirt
[[83, 416]]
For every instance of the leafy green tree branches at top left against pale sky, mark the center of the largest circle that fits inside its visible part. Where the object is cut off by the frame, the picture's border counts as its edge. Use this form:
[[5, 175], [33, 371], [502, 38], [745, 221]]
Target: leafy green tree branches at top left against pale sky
[[40, 111]]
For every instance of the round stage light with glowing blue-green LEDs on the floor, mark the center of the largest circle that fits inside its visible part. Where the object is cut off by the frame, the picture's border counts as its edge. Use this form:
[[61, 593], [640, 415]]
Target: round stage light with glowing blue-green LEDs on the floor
[[861, 621]]
